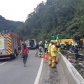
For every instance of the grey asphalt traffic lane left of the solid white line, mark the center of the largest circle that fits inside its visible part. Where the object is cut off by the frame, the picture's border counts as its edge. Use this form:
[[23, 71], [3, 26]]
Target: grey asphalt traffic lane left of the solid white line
[[14, 72]]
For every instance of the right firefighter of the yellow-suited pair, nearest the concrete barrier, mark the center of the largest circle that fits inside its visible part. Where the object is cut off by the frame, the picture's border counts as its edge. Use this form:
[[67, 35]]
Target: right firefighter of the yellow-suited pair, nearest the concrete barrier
[[53, 54]]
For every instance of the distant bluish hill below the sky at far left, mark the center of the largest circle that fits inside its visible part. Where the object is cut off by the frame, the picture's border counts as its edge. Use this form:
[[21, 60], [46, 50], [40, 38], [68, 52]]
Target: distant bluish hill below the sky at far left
[[8, 25]]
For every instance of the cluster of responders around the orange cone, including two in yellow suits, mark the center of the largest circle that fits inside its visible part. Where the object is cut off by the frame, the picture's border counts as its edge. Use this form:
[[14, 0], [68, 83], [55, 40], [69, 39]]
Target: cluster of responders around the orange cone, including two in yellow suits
[[50, 49]]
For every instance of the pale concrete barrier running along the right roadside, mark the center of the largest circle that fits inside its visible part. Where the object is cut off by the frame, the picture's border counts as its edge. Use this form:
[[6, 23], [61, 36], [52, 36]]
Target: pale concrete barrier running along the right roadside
[[72, 75]]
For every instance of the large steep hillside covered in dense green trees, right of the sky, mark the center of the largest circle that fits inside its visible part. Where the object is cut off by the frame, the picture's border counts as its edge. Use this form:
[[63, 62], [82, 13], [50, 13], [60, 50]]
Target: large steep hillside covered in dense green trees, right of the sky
[[65, 17]]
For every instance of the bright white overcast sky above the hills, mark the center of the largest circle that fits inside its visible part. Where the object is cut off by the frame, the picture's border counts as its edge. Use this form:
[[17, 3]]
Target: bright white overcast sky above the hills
[[17, 10]]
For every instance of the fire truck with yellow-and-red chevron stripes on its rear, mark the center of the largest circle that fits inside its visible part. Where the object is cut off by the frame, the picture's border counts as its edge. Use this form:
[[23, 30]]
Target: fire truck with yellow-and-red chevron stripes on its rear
[[9, 44]]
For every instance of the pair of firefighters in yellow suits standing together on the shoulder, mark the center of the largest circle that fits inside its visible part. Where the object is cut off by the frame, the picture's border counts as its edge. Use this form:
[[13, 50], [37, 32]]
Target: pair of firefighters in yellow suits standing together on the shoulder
[[52, 53]]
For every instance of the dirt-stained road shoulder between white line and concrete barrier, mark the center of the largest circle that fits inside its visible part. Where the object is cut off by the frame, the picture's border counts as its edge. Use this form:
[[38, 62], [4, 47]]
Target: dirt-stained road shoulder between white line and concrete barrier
[[52, 75]]
